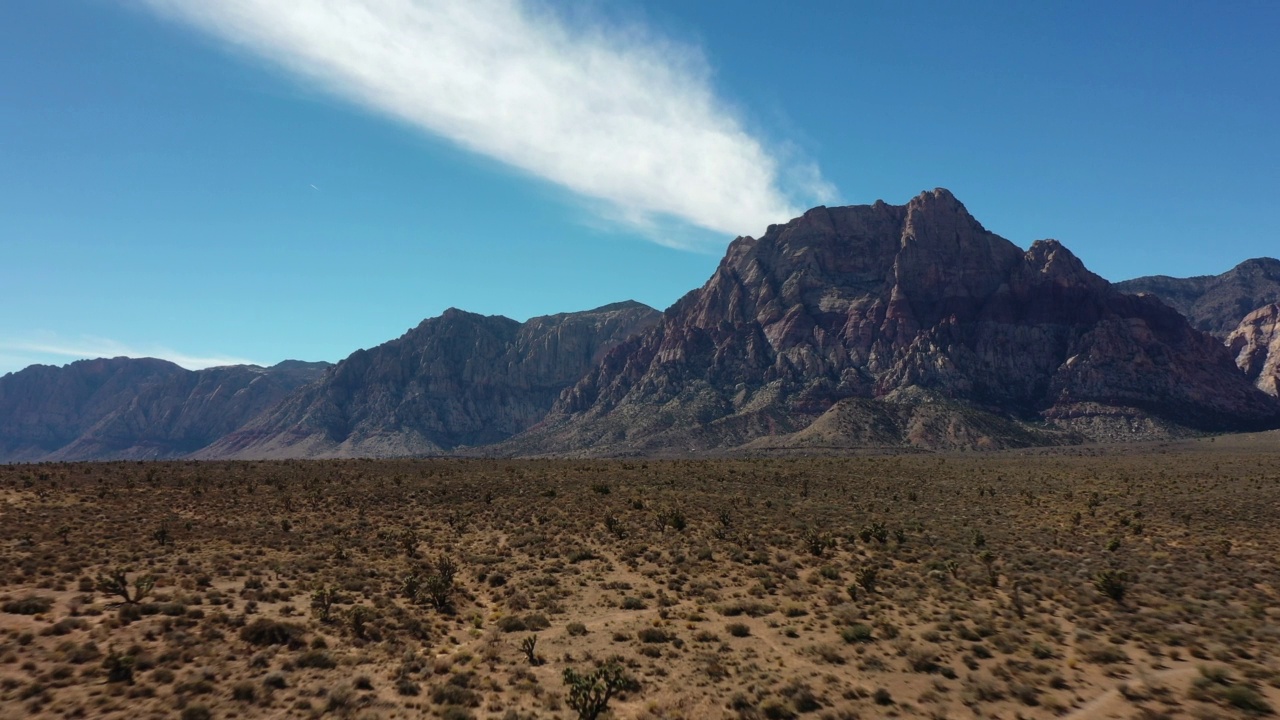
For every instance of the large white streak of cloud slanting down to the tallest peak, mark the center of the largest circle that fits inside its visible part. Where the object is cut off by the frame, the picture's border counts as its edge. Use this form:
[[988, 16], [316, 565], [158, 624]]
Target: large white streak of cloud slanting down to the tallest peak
[[614, 113]]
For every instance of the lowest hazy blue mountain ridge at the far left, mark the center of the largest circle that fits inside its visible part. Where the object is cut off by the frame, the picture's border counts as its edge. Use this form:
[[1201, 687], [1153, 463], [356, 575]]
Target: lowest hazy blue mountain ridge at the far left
[[134, 408]]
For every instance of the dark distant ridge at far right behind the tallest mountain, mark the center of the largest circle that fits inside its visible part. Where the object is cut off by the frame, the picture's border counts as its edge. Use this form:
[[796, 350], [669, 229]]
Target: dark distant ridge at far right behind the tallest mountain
[[1215, 304]]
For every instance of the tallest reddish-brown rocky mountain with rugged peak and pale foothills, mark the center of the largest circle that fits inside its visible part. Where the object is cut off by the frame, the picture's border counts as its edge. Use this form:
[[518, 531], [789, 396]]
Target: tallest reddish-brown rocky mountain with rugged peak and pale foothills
[[903, 325]]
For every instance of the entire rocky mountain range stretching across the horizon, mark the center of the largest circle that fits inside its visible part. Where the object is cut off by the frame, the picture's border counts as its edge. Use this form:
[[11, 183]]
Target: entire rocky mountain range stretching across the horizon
[[872, 326]]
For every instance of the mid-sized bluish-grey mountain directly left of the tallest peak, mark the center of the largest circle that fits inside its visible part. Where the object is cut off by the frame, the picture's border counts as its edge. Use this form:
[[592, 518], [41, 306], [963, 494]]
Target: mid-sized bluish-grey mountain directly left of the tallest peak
[[459, 380]]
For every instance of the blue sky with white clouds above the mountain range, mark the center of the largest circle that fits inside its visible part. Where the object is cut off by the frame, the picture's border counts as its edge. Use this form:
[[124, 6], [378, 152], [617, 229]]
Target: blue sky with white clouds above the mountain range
[[250, 180]]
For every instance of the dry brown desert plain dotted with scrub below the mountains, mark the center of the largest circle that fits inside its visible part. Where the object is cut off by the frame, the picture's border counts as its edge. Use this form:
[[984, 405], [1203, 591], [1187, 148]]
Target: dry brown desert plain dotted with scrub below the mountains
[[963, 586]]
